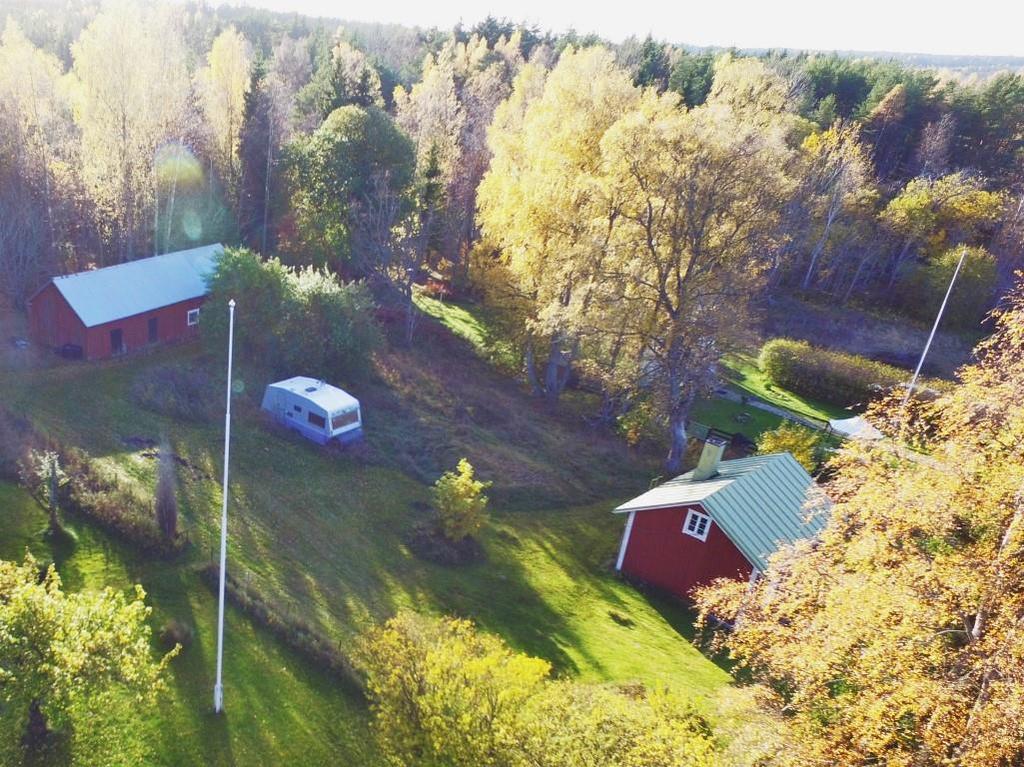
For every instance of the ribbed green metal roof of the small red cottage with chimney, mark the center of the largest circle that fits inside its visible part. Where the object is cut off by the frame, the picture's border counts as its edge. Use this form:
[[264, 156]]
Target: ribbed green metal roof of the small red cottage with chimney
[[759, 502]]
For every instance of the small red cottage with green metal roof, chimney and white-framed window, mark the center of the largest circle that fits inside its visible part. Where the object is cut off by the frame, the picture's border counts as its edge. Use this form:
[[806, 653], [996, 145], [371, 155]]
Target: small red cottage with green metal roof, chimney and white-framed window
[[722, 520]]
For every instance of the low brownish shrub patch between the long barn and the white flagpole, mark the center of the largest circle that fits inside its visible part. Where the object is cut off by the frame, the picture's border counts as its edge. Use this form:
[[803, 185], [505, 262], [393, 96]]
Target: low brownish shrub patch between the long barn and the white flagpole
[[187, 394]]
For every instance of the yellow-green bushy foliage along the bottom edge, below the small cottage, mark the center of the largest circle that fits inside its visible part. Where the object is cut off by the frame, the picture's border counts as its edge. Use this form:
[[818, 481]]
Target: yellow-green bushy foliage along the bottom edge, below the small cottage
[[445, 694]]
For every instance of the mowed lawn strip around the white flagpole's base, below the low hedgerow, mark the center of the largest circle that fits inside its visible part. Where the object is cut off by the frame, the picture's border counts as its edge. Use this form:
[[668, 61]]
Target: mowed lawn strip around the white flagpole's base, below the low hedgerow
[[280, 708]]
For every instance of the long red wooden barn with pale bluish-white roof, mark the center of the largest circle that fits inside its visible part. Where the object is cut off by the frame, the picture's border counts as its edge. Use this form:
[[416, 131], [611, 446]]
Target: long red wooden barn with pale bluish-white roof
[[111, 312]]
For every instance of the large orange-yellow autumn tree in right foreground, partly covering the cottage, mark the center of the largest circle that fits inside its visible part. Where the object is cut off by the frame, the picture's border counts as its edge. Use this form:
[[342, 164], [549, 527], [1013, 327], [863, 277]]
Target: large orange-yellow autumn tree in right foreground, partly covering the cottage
[[897, 637]]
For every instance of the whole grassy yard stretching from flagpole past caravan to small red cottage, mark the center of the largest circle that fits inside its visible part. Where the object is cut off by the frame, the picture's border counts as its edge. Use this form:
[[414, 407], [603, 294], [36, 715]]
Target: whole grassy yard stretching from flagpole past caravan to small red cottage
[[322, 536]]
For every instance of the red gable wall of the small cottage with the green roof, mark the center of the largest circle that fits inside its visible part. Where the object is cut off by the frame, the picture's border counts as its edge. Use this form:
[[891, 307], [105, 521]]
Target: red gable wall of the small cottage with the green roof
[[660, 553]]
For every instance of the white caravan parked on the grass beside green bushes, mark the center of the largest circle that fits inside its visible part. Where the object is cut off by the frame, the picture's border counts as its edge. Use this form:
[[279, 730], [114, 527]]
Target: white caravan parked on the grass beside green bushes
[[315, 409]]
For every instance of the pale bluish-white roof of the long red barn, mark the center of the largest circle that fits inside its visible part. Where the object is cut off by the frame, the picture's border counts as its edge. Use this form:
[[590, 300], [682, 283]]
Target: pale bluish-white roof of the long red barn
[[127, 289]]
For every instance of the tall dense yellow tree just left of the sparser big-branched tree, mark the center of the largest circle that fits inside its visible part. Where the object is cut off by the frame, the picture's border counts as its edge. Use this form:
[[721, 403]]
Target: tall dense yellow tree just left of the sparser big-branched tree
[[538, 204]]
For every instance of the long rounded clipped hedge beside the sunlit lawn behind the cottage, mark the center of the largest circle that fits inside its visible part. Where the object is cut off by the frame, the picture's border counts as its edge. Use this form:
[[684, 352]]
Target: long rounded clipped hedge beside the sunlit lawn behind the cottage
[[829, 376]]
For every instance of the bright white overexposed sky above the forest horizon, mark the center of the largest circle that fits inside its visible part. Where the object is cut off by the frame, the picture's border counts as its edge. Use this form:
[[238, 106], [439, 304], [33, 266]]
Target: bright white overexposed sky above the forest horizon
[[967, 27]]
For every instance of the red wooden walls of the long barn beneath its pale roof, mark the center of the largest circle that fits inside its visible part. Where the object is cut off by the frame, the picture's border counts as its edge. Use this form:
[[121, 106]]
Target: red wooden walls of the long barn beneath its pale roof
[[55, 324]]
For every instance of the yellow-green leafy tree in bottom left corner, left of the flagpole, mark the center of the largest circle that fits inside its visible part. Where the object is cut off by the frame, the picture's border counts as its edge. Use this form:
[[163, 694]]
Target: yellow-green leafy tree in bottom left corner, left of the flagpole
[[59, 651]]
